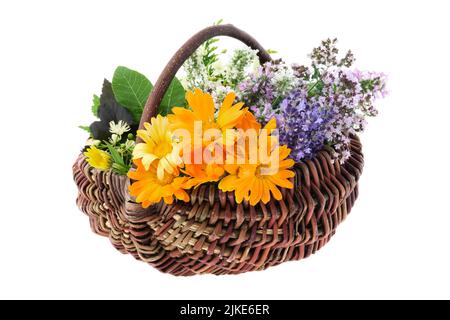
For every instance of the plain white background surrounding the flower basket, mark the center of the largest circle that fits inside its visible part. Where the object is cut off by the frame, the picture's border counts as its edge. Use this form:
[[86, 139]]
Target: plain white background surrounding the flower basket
[[54, 56]]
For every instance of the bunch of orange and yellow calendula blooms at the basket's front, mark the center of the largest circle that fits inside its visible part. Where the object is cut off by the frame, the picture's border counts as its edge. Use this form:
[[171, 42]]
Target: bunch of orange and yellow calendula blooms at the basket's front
[[167, 161]]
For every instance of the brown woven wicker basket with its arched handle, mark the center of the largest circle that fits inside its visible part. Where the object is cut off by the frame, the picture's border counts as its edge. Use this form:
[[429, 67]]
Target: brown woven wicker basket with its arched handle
[[212, 233]]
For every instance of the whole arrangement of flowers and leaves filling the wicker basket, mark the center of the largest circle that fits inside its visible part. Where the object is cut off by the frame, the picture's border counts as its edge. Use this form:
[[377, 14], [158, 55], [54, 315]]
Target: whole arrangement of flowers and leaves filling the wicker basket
[[286, 113]]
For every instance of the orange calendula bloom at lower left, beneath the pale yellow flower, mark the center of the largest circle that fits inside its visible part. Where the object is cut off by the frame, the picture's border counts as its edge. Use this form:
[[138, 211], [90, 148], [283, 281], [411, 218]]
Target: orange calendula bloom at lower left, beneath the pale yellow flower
[[149, 190]]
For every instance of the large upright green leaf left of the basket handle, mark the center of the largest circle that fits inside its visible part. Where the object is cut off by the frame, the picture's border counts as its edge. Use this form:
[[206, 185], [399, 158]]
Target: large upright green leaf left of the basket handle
[[131, 90]]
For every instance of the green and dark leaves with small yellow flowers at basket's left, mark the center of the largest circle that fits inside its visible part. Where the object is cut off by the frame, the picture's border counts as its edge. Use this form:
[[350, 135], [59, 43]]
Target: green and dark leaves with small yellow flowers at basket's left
[[118, 110]]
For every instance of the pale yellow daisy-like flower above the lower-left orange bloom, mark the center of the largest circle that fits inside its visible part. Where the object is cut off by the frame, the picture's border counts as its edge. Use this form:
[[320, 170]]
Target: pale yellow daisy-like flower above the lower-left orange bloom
[[158, 145]]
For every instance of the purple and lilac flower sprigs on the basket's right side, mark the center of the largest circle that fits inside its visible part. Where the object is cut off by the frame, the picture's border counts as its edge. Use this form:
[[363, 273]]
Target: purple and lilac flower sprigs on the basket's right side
[[315, 106]]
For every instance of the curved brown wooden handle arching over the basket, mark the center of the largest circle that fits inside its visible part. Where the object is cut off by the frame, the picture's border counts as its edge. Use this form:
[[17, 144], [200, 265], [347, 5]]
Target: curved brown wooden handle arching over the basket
[[185, 52]]
